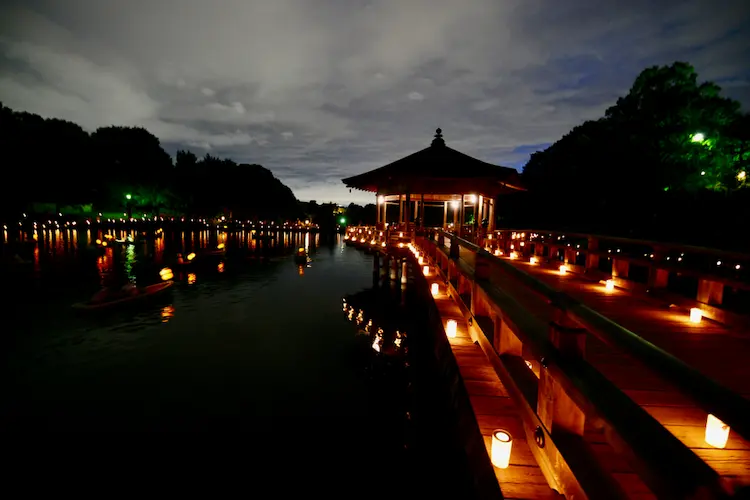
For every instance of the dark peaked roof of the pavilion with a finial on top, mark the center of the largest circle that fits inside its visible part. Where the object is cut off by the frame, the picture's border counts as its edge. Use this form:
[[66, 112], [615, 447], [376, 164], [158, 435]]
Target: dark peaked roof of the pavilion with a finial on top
[[438, 169]]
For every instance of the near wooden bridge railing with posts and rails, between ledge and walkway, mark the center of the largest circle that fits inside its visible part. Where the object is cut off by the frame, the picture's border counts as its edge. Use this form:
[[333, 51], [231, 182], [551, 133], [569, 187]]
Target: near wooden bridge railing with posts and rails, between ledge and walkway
[[569, 391]]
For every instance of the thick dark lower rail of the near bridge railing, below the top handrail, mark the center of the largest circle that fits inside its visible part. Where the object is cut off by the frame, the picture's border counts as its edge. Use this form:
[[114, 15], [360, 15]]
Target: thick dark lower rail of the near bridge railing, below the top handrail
[[683, 475]]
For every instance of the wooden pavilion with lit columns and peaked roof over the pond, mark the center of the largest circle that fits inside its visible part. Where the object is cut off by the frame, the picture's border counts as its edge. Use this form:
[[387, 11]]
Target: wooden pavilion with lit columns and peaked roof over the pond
[[438, 176]]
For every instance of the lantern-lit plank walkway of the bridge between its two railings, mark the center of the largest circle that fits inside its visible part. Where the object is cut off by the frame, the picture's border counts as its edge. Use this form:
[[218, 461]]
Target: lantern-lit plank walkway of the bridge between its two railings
[[713, 349]]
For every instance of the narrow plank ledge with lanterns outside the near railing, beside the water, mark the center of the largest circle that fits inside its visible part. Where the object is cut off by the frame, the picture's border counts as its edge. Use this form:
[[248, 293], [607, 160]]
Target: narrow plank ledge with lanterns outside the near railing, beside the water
[[494, 409]]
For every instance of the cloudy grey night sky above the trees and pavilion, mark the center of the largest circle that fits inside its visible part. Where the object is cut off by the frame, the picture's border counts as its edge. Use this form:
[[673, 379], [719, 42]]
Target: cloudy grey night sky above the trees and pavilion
[[317, 90]]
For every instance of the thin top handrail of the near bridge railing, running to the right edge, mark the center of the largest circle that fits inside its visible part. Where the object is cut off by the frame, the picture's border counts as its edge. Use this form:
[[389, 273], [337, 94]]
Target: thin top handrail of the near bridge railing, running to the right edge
[[712, 397]]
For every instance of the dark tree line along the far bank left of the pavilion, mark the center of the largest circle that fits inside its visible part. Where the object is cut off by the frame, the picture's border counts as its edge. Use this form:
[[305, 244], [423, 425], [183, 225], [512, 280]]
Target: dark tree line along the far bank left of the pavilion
[[57, 162]]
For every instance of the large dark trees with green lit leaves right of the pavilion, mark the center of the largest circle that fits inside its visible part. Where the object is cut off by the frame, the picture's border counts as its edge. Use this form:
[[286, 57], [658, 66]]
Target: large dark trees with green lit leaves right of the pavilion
[[670, 160]]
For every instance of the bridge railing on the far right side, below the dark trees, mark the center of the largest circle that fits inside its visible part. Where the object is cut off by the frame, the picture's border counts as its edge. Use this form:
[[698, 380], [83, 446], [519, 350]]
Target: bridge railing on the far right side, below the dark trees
[[714, 272]]
